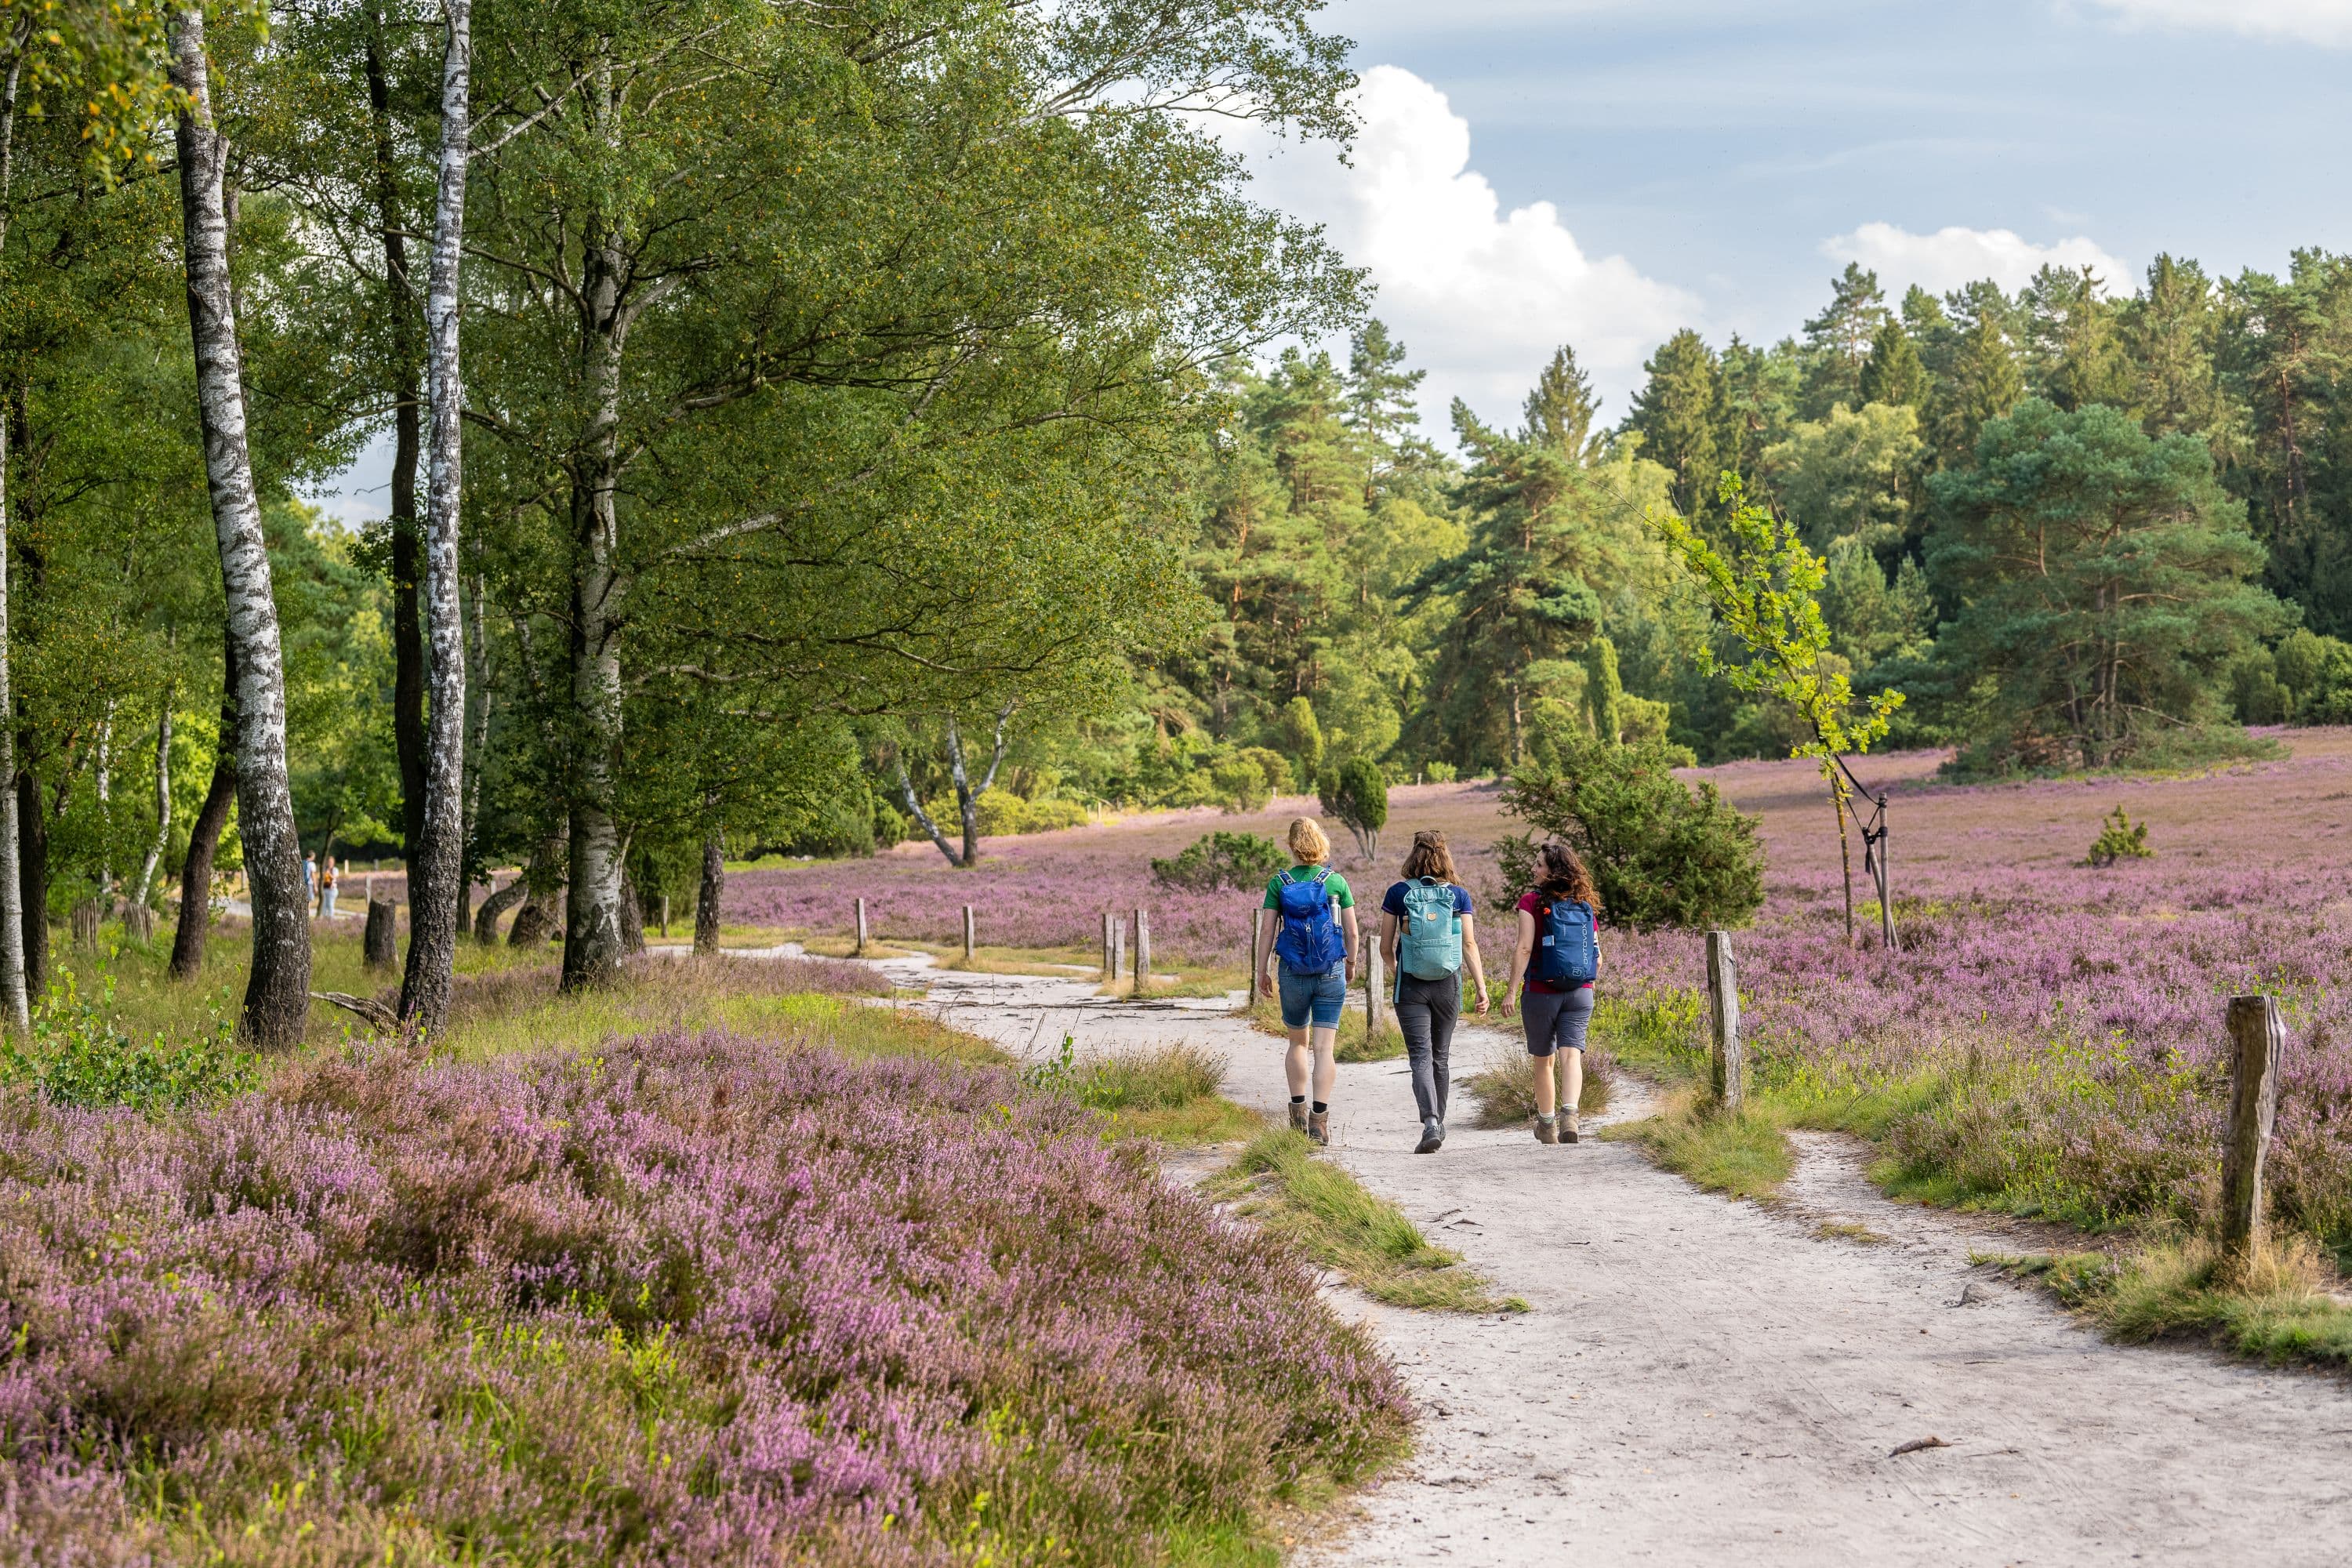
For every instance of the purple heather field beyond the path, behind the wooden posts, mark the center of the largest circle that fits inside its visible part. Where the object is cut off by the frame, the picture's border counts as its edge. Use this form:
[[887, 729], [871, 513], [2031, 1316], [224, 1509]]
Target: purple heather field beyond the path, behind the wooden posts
[[2047, 1038]]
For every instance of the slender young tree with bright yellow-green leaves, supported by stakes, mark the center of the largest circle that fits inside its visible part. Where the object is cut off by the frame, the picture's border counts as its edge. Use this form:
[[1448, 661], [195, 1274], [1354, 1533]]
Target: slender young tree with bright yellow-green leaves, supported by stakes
[[1765, 589]]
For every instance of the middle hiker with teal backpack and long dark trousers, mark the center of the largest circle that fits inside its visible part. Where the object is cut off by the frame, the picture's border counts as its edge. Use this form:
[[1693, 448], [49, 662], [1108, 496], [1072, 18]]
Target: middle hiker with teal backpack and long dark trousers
[[1426, 937]]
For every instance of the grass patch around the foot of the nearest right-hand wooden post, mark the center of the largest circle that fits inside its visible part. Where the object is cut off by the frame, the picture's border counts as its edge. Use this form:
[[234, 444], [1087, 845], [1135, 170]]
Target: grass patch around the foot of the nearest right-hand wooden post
[[2271, 1308]]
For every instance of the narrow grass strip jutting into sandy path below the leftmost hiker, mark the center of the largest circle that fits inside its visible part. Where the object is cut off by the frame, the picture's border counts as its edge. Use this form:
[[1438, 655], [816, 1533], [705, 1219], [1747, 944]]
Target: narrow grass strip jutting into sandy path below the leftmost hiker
[[1335, 1219]]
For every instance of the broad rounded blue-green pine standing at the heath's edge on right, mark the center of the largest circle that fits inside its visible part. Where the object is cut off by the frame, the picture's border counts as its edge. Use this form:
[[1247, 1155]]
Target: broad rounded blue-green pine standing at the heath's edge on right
[[2104, 582]]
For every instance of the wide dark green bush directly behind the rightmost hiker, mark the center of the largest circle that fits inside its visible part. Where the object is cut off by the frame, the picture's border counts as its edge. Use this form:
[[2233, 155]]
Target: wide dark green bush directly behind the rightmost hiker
[[1662, 852]]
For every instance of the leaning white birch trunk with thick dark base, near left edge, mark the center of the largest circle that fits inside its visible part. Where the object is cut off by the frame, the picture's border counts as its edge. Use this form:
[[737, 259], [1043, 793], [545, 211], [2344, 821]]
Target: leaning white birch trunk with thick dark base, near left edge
[[279, 993]]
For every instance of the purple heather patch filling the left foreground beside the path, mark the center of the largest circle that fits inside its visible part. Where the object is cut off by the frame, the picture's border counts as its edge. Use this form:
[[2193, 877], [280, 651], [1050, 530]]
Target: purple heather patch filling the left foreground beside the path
[[690, 1301]]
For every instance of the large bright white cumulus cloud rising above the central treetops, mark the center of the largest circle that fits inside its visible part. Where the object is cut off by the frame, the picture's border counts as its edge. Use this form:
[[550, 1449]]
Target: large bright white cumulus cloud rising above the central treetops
[[1478, 295]]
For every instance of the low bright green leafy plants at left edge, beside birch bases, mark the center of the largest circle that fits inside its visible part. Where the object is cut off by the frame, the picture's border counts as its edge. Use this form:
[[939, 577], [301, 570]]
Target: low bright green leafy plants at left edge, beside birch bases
[[81, 1054]]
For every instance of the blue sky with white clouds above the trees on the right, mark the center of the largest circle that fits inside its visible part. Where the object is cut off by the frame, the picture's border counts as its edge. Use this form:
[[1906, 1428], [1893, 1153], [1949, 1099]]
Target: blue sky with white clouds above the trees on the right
[[1608, 170]]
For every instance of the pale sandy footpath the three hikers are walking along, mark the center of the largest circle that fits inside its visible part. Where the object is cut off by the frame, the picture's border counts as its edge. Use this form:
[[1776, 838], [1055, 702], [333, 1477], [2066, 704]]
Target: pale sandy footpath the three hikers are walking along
[[1720, 1383]]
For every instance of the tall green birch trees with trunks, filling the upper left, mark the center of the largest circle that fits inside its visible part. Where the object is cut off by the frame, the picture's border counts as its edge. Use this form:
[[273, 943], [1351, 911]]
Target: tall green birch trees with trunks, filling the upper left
[[770, 389]]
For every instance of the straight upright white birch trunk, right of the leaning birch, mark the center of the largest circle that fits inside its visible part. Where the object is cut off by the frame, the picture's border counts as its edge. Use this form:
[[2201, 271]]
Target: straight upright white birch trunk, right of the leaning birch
[[439, 894]]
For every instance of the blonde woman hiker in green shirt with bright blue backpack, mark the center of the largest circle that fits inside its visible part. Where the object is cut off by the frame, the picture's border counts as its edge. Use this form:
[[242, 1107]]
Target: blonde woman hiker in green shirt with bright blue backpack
[[1309, 965]]
